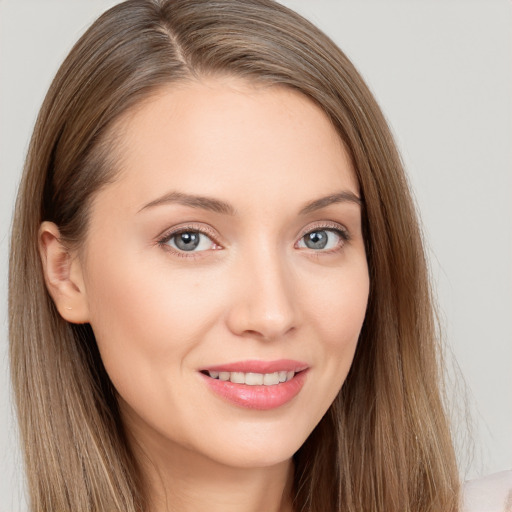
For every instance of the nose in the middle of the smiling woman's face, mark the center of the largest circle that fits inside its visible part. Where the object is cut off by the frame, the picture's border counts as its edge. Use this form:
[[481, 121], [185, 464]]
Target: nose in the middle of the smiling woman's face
[[263, 304]]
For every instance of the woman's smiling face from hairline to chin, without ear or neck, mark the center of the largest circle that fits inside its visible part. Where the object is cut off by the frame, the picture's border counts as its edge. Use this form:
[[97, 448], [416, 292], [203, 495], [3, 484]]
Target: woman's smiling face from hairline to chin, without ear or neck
[[229, 247]]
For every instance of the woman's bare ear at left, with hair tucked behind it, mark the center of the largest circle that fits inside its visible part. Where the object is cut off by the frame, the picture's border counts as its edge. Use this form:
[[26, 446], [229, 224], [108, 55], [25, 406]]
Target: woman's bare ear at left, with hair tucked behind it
[[63, 275]]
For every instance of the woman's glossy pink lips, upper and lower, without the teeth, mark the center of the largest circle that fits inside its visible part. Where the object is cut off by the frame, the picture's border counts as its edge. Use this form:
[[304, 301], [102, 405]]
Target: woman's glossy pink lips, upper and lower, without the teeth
[[261, 398]]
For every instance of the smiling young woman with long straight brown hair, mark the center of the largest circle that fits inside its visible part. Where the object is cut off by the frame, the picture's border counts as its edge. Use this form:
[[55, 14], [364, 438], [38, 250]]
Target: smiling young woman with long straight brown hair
[[218, 293]]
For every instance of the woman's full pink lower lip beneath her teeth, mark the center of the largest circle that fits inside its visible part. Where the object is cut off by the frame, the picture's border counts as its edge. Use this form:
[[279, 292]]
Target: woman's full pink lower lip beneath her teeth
[[262, 398]]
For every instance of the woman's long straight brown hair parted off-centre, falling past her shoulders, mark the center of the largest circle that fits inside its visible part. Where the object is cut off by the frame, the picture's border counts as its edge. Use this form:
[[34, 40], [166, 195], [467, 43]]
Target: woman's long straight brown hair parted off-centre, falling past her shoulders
[[384, 444]]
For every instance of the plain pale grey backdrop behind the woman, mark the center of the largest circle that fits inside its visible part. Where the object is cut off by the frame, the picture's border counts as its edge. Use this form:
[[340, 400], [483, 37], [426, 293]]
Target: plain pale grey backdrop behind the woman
[[442, 72]]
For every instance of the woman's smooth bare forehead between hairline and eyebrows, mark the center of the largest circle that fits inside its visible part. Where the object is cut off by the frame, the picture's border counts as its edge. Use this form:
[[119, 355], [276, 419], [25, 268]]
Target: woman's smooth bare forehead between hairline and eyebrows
[[231, 139]]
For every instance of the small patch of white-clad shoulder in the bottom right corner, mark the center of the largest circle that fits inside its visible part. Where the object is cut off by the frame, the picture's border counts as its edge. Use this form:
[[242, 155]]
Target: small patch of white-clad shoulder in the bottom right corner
[[492, 493]]
